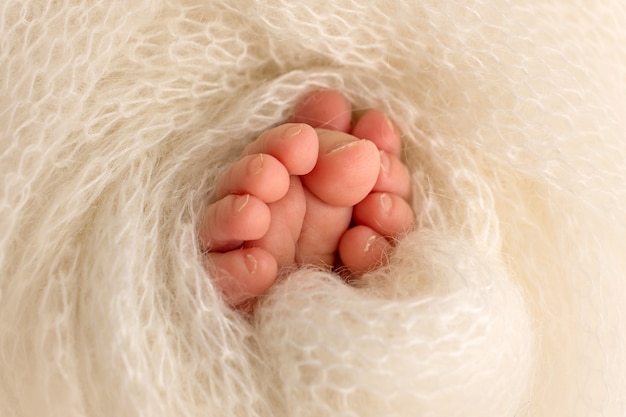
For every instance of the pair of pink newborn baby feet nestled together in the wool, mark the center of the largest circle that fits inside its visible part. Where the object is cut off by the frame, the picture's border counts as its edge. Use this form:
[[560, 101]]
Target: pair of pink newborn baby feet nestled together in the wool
[[312, 191]]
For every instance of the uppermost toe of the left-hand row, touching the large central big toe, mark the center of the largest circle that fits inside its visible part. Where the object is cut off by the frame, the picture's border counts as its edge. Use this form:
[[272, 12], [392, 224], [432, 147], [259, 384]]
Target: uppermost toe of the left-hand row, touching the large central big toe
[[295, 145]]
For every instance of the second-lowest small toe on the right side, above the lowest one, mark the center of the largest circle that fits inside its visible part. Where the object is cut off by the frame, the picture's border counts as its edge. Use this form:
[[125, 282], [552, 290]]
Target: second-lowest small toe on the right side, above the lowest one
[[387, 214]]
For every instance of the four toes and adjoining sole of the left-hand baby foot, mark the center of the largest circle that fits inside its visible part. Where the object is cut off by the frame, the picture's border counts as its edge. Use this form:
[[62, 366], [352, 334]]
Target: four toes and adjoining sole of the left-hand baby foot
[[258, 193]]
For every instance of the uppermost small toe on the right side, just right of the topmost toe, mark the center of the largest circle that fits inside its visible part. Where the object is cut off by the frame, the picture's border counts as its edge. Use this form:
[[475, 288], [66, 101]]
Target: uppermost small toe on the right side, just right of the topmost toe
[[377, 127]]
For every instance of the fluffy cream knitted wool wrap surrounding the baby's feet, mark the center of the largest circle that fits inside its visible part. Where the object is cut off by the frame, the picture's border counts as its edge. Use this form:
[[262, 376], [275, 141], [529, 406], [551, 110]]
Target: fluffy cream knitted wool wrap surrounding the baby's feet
[[508, 299]]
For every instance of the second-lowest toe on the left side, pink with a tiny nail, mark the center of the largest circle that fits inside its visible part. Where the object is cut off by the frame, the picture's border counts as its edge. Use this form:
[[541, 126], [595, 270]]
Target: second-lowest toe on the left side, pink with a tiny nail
[[232, 220]]
